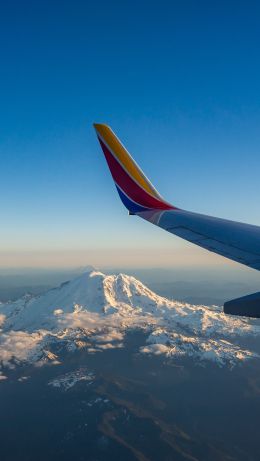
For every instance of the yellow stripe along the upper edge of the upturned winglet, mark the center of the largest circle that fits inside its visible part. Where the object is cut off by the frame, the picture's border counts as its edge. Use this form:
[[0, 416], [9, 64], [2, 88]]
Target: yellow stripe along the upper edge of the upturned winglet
[[125, 159]]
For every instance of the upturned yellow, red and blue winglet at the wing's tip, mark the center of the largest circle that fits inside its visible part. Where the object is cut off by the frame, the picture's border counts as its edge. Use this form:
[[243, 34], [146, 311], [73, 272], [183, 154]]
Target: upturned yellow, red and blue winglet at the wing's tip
[[135, 190]]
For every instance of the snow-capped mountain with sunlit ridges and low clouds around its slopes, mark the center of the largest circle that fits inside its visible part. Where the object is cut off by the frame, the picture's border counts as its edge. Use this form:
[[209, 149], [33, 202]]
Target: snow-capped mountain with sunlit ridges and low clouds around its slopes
[[95, 311]]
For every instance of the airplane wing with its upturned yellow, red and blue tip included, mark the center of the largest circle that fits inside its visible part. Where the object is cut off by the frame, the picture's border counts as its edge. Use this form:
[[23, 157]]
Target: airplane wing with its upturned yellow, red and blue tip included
[[237, 241]]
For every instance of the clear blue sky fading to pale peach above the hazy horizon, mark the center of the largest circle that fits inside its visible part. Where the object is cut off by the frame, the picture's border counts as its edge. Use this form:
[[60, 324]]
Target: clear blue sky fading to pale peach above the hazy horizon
[[178, 81]]
